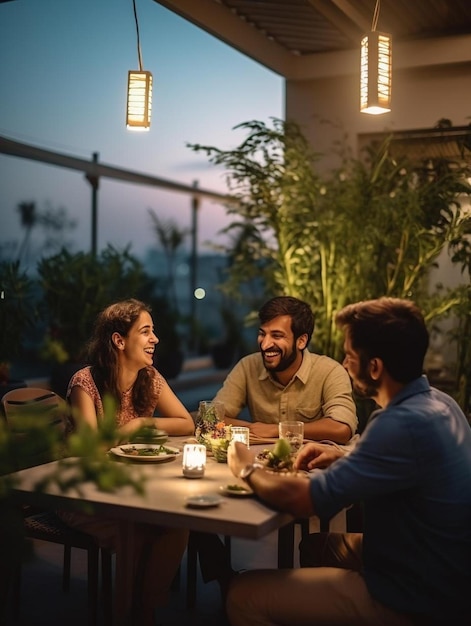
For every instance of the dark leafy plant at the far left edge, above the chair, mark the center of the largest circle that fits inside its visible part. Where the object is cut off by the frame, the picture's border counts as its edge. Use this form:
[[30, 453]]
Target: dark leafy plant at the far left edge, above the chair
[[17, 316]]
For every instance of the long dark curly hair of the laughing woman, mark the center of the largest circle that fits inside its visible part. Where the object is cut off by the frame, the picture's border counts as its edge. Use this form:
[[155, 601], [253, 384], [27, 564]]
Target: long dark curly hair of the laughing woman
[[103, 354]]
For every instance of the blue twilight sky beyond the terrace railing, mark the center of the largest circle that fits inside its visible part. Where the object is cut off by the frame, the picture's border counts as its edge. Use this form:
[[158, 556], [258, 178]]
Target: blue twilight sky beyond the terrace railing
[[63, 77]]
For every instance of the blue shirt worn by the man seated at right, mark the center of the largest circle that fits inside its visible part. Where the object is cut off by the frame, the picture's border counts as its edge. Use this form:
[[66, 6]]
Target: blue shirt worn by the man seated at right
[[412, 470]]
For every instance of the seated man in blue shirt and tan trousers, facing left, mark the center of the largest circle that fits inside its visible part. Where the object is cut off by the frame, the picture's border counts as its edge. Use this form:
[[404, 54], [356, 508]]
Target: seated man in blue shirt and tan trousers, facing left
[[411, 469]]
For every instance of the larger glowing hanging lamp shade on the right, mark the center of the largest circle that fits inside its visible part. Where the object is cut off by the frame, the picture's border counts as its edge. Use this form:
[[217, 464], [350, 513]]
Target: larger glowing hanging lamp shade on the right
[[376, 69]]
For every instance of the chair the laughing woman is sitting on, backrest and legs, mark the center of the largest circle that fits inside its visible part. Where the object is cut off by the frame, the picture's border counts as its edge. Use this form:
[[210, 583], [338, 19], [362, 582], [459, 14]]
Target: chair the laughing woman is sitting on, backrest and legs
[[42, 408]]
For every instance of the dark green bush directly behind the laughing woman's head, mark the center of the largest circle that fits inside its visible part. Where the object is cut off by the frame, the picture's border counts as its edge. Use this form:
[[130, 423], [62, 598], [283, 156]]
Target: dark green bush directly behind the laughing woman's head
[[77, 287]]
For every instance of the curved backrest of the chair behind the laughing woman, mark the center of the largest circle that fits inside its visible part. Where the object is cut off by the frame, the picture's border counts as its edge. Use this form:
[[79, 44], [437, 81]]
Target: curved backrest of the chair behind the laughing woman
[[37, 420]]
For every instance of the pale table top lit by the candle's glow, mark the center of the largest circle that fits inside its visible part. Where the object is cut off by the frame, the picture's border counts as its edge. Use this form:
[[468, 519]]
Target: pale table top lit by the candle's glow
[[164, 500]]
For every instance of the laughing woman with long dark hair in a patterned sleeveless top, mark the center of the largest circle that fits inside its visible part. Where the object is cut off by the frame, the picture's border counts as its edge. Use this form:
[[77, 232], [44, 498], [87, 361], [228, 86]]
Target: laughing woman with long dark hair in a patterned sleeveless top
[[121, 366]]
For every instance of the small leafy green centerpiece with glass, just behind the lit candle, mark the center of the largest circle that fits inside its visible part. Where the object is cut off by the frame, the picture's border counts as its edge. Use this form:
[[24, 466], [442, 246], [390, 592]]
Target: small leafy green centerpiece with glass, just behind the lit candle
[[212, 431]]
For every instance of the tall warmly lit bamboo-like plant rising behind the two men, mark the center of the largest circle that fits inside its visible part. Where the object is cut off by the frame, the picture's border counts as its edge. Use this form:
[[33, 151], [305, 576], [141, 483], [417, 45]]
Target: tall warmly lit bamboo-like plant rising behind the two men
[[374, 227]]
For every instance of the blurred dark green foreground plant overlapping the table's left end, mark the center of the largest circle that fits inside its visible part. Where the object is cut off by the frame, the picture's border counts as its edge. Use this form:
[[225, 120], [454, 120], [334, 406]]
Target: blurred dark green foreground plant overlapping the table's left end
[[82, 458]]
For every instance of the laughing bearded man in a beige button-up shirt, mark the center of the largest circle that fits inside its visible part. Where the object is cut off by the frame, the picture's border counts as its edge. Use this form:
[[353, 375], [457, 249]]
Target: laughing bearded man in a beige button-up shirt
[[284, 381]]
